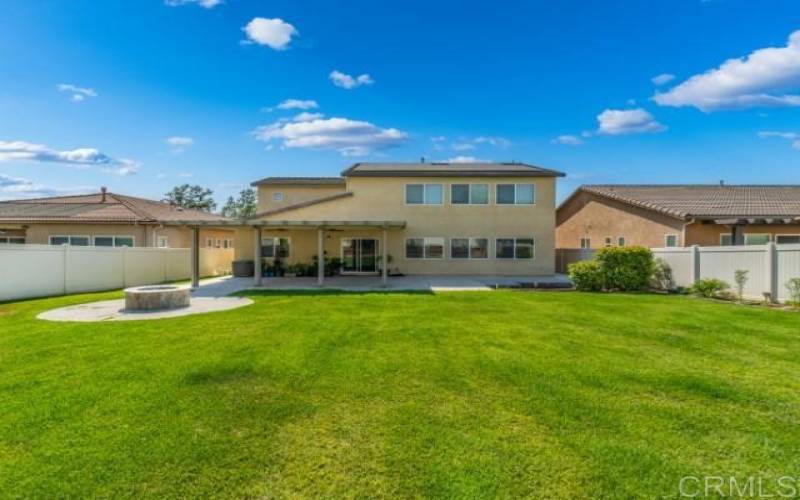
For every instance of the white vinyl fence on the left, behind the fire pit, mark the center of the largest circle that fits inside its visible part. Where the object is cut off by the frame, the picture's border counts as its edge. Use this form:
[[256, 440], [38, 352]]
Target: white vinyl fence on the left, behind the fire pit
[[41, 270]]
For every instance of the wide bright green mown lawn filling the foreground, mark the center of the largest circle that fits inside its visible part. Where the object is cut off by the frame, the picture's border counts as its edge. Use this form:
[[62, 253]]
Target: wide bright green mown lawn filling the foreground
[[471, 394]]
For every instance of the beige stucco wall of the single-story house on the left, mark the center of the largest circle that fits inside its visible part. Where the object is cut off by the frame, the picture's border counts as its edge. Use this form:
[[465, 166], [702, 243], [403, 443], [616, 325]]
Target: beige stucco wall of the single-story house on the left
[[144, 235]]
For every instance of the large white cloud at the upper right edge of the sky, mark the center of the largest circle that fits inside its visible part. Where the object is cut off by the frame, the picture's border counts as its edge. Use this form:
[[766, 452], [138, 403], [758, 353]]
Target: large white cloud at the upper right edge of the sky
[[759, 79]]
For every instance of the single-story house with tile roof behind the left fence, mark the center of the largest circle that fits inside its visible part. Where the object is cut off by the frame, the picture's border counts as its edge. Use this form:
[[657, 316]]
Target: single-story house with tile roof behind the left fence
[[104, 219]]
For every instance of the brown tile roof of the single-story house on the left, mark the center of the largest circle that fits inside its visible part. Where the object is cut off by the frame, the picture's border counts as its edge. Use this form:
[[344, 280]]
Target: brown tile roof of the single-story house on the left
[[91, 208]]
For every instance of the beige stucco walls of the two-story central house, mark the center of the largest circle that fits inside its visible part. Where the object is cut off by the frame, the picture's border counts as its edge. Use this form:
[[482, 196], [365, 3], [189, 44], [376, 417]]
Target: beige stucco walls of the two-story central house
[[383, 198]]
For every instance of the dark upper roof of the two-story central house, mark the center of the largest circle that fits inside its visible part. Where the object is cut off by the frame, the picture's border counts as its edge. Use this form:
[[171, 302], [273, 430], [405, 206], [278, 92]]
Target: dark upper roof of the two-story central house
[[439, 169]]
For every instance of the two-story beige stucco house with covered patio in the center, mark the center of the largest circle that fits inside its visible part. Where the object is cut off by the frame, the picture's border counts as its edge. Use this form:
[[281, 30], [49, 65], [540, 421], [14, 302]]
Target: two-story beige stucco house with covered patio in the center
[[430, 218]]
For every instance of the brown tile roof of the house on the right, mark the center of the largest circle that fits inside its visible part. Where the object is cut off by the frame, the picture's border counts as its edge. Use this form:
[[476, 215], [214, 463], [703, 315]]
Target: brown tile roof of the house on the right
[[706, 201]]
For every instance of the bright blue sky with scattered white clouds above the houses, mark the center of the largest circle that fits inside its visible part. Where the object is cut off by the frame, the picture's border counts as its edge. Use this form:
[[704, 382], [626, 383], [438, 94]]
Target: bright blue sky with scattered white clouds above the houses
[[142, 95]]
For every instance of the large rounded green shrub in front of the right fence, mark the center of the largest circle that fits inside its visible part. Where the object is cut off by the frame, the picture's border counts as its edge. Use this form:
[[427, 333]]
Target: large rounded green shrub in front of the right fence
[[626, 268]]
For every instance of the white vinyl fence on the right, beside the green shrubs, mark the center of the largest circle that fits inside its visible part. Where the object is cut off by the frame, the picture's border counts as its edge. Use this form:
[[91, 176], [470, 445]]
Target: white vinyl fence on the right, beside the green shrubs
[[769, 266]]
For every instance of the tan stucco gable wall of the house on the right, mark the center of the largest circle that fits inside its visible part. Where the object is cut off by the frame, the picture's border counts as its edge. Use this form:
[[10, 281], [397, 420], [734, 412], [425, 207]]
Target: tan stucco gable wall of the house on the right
[[587, 216]]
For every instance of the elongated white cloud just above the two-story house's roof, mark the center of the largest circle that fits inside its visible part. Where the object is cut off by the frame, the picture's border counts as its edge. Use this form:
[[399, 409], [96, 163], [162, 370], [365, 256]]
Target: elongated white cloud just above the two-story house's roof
[[348, 137]]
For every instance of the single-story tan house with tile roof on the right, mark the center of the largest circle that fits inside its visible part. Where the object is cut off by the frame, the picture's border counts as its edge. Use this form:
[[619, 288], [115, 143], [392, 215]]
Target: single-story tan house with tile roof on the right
[[678, 215]]
